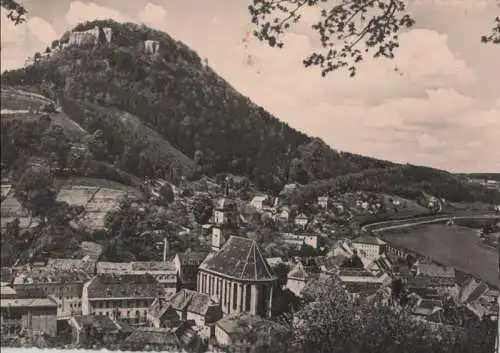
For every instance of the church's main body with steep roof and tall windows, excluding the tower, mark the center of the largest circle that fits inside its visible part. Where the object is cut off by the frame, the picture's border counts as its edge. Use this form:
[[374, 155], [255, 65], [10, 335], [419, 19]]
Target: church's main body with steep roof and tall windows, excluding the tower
[[240, 277]]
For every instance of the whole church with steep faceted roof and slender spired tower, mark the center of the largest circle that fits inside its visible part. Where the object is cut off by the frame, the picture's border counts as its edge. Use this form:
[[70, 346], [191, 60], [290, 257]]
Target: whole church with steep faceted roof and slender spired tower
[[236, 272]]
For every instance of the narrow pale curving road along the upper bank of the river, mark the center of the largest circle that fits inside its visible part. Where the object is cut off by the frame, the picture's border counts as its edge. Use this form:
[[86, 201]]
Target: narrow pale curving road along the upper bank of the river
[[411, 222]]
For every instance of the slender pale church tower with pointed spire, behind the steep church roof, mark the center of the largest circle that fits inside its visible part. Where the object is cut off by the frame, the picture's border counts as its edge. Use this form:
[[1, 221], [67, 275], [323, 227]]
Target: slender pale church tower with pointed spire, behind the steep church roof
[[225, 219]]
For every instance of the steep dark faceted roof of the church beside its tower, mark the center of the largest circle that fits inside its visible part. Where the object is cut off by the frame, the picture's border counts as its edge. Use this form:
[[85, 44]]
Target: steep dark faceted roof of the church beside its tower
[[239, 258]]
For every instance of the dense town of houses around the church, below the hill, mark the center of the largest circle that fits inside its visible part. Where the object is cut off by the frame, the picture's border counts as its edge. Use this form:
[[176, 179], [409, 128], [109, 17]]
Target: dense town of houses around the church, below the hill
[[200, 298]]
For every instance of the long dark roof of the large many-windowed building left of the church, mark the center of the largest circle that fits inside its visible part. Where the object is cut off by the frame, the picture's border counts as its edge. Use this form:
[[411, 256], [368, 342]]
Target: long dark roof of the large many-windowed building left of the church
[[123, 286]]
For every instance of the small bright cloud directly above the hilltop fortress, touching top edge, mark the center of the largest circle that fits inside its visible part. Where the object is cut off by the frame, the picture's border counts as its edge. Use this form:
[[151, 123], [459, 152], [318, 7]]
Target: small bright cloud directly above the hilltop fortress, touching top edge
[[80, 12]]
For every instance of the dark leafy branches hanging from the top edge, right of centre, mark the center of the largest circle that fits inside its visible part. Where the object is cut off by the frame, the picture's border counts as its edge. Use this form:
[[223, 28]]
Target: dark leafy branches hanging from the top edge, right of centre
[[348, 31]]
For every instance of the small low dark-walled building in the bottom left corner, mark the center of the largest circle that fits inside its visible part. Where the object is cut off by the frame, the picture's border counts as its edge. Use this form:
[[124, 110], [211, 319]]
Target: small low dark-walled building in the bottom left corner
[[20, 313]]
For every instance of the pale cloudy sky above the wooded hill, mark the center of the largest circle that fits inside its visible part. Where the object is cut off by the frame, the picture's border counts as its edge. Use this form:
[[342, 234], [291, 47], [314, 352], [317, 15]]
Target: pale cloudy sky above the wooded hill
[[440, 109]]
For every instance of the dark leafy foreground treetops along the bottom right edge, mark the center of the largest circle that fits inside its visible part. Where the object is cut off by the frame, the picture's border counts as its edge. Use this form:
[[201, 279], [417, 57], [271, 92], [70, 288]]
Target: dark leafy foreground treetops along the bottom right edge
[[333, 322]]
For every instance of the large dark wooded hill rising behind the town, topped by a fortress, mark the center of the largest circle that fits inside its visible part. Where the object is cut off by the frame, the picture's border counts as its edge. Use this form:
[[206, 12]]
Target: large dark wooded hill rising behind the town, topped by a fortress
[[168, 114]]
